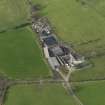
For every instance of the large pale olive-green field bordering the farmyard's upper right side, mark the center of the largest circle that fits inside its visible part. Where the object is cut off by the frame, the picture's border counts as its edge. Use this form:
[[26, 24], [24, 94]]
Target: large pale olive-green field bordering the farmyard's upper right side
[[74, 22]]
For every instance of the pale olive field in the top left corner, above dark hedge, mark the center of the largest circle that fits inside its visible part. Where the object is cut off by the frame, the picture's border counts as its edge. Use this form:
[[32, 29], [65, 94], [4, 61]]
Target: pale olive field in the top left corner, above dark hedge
[[13, 13]]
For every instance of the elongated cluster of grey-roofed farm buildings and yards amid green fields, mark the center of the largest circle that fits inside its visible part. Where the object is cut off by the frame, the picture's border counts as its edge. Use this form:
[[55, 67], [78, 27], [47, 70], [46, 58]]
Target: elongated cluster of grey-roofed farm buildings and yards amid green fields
[[57, 54]]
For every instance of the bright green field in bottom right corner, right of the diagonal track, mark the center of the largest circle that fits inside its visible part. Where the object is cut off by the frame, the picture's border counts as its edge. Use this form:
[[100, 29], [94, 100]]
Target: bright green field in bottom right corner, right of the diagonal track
[[92, 93]]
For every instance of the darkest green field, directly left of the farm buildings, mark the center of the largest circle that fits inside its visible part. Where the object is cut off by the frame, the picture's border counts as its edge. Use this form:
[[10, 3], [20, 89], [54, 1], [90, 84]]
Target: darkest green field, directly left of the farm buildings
[[20, 56]]
